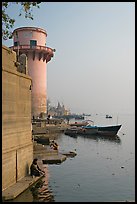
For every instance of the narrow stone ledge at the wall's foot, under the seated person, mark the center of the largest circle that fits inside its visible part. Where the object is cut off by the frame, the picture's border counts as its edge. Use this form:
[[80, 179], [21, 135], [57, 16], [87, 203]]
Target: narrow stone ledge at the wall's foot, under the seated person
[[13, 191]]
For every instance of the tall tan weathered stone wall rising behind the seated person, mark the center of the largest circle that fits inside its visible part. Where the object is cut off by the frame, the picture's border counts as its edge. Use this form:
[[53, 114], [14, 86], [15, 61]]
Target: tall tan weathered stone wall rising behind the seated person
[[17, 146]]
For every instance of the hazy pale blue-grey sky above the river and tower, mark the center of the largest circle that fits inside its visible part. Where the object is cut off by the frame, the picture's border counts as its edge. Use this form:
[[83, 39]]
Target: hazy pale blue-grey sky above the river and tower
[[93, 69]]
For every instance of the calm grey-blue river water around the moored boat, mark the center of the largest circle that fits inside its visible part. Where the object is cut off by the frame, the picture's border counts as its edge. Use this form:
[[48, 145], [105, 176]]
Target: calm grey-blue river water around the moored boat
[[103, 170]]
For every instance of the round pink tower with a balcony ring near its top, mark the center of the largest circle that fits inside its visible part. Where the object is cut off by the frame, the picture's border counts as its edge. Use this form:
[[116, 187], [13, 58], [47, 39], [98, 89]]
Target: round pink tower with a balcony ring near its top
[[32, 42]]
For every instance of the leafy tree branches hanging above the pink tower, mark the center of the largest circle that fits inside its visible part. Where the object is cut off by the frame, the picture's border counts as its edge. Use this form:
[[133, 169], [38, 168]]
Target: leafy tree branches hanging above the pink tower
[[8, 22]]
